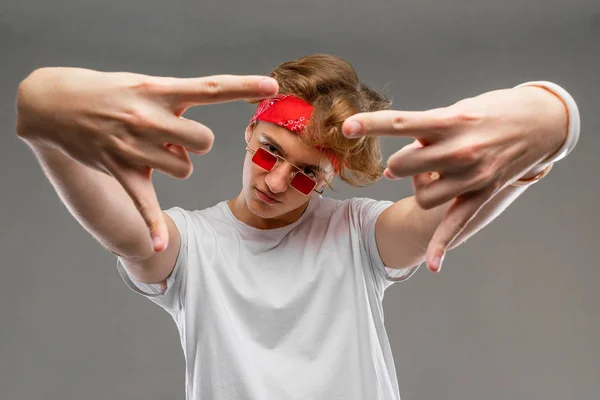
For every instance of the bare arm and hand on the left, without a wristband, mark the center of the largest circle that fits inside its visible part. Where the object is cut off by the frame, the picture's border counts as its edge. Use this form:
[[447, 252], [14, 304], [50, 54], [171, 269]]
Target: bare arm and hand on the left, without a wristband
[[98, 136]]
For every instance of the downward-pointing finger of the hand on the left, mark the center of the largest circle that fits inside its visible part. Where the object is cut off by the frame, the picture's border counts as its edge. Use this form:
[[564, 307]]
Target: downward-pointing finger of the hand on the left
[[137, 183]]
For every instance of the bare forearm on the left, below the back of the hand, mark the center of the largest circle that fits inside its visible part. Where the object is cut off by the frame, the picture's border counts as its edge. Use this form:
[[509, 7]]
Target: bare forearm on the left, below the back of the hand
[[98, 202]]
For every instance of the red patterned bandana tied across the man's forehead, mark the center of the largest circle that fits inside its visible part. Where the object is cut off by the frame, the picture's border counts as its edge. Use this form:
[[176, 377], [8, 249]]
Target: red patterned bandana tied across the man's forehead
[[289, 112]]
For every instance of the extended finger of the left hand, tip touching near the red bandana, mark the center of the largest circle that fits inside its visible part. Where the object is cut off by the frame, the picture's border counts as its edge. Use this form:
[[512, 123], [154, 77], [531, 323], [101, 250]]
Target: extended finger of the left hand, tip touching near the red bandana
[[217, 89]]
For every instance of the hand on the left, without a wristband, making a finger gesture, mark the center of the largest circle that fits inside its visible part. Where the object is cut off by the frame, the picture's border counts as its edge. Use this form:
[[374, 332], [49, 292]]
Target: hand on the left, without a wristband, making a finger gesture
[[126, 125]]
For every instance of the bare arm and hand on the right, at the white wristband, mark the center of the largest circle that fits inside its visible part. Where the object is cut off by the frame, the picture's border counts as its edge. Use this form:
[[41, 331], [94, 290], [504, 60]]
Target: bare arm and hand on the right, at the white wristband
[[462, 164]]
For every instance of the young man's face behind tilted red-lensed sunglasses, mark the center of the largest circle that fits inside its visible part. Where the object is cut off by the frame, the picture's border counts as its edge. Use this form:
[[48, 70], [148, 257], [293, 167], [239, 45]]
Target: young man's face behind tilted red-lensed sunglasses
[[268, 194]]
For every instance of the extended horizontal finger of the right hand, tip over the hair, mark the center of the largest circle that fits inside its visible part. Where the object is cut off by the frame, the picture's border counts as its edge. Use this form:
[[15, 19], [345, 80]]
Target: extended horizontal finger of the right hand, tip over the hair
[[429, 125]]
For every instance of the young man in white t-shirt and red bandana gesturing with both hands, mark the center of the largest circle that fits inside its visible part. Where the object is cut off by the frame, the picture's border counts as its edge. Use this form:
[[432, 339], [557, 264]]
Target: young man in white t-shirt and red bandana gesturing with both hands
[[277, 293]]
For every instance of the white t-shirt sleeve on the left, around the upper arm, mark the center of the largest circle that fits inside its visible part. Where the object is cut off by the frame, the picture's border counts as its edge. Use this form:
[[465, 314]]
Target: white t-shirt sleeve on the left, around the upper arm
[[172, 297]]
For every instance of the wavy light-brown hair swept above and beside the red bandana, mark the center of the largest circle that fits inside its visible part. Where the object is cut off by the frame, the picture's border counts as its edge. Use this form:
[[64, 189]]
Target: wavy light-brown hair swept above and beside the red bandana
[[332, 86]]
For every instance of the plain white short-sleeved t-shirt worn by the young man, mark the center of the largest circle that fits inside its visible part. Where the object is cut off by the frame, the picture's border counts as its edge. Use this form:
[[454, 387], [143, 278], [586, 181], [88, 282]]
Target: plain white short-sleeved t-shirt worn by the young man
[[293, 313]]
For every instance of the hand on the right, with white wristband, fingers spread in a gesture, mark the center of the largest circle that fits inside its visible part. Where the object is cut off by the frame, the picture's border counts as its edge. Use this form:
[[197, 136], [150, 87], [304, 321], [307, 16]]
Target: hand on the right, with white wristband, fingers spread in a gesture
[[469, 151]]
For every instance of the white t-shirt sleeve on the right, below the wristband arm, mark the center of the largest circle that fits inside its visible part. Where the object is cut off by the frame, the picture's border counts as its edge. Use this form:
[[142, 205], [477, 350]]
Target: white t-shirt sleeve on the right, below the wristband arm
[[367, 211]]
